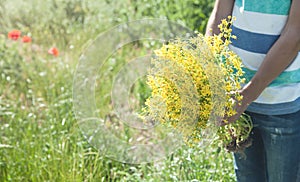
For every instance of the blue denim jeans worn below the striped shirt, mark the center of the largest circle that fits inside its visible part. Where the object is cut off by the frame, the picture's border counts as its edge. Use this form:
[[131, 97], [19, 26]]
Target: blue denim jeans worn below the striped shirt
[[275, 152]]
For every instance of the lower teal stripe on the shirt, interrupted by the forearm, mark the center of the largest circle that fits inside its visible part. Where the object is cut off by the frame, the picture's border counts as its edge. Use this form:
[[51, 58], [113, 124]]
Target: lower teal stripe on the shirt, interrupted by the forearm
[[286, 77]]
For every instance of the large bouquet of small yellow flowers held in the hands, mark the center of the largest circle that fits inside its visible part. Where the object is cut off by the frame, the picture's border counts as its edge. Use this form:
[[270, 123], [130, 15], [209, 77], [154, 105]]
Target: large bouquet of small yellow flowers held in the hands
[[195, 84]]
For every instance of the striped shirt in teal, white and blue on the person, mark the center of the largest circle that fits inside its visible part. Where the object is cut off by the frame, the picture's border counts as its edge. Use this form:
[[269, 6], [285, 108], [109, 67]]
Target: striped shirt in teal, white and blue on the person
[[258, 25]]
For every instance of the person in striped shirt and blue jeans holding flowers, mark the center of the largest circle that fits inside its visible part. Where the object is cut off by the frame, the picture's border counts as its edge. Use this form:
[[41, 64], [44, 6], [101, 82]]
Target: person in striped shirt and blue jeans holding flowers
[[268, 42]]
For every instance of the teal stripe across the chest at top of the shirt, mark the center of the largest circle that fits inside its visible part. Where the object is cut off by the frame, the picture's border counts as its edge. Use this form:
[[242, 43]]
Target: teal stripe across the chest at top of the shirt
[[278, 7]]
